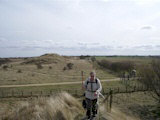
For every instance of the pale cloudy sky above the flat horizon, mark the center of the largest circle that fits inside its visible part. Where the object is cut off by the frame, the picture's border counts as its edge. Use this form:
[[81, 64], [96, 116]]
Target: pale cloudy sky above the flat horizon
[[79, 27]]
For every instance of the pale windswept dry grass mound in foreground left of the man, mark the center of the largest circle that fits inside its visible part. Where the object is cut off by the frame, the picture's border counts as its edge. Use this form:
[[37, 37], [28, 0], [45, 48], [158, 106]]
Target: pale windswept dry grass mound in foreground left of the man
[[61, 107]]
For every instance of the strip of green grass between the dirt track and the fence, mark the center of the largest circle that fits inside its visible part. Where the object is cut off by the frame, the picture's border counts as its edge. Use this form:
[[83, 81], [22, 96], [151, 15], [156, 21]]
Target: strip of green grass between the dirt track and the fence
[[47, 90]]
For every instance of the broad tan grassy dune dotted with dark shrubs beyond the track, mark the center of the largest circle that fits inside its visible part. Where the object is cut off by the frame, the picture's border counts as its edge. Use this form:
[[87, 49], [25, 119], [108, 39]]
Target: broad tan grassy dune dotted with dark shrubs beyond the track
[[25, 71]]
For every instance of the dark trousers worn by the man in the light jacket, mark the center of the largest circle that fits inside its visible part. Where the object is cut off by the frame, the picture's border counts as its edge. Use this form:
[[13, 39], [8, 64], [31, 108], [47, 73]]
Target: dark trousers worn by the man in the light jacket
[[91, 107]]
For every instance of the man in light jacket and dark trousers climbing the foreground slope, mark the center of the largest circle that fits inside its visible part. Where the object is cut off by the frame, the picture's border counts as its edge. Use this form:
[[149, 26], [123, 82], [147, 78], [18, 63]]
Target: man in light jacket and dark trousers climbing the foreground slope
[[92, 87]]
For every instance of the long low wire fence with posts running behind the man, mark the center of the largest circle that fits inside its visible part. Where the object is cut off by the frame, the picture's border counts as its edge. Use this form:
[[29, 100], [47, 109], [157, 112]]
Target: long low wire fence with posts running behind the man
[[74, 92]]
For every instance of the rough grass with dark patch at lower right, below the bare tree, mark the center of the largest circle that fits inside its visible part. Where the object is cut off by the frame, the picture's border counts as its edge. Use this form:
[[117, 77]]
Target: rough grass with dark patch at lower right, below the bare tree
[[138, 104]]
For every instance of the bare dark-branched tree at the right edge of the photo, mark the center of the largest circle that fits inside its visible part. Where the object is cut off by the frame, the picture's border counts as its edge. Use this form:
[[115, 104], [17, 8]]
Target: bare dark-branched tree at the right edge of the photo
[[150, 77]]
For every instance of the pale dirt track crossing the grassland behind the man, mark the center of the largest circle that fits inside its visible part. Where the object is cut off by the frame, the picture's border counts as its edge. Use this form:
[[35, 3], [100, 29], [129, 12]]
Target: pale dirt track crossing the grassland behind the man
[[47, 84]]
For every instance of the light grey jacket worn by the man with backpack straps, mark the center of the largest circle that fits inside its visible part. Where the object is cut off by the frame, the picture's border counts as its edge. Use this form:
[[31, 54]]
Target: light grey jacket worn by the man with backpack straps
[[91, 87]]
